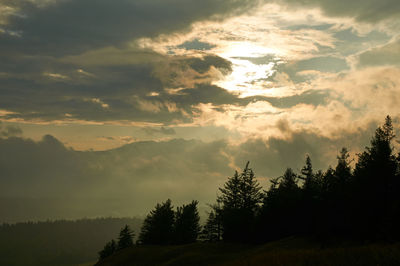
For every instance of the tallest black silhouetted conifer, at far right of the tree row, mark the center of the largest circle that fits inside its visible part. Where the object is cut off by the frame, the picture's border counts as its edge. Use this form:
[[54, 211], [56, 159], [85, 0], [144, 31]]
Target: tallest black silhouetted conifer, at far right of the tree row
[[376, 187]]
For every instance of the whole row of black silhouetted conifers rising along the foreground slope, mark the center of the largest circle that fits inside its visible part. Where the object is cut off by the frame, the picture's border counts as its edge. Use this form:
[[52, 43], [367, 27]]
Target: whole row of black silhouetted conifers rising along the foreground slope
[[361, 203]]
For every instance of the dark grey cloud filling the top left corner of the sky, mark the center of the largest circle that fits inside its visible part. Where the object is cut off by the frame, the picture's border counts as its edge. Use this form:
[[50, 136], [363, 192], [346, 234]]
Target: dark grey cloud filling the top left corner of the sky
[[73, 26]]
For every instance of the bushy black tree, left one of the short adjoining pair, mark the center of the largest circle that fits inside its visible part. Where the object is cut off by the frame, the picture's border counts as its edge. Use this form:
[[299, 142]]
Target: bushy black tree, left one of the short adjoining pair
[[158, 226]]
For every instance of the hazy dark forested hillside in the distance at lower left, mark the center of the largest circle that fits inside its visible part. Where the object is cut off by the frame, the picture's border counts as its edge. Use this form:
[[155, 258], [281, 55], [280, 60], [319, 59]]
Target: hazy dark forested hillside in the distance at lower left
[[58, 242]]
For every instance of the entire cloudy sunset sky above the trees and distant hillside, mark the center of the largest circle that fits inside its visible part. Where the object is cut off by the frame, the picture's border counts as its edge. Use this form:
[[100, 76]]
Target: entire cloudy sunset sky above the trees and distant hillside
[[107, 107]]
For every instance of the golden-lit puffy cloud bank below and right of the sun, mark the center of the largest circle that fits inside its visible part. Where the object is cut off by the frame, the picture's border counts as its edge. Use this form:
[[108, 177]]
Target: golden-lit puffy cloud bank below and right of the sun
[[334, 105]]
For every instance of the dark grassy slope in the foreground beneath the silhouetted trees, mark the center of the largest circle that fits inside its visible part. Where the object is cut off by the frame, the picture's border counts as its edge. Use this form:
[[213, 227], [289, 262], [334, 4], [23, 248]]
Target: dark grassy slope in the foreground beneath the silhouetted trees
[[289, 251]]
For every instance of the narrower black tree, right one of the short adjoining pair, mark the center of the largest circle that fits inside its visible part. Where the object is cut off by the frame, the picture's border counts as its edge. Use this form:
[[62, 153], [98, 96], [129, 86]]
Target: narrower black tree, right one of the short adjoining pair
[[187, 227]]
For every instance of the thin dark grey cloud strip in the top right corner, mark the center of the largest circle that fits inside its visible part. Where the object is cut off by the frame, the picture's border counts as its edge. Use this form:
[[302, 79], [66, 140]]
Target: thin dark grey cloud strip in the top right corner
[[362, 10]]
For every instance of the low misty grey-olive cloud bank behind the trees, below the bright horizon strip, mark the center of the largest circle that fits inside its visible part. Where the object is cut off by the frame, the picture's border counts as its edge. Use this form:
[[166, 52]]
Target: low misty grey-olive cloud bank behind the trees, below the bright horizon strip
[[137, 175]]
